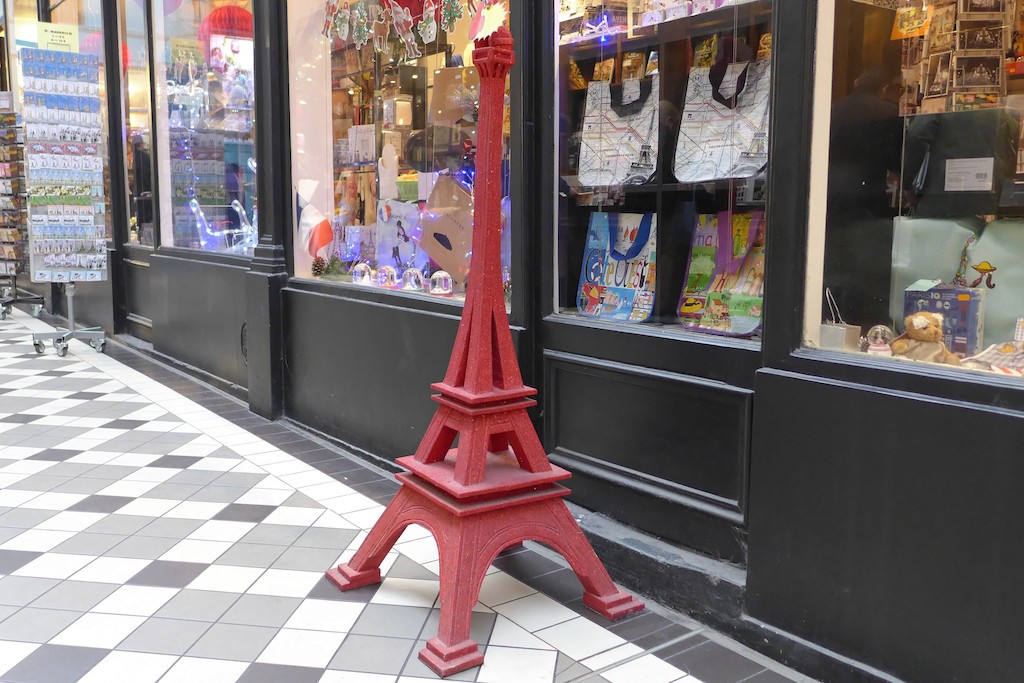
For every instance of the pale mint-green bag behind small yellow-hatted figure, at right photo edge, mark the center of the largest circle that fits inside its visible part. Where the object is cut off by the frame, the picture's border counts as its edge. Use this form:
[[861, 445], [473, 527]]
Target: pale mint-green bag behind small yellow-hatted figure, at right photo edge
[[995, 263]]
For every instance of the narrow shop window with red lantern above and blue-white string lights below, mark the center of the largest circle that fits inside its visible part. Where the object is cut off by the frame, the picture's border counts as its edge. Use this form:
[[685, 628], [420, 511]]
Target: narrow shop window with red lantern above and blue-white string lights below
[[204, 64]]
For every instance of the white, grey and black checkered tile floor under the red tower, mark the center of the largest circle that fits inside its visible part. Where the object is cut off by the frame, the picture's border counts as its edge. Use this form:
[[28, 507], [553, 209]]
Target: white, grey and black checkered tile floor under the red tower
[[146, 538]]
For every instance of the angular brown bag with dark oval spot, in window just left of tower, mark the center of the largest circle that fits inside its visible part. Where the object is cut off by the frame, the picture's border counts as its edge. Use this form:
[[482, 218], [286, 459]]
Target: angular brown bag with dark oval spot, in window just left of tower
[[448, 228]]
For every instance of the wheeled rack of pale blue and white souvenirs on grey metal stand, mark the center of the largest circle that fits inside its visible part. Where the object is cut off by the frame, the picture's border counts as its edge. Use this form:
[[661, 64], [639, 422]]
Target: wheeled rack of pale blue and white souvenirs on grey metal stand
[[64, 158]]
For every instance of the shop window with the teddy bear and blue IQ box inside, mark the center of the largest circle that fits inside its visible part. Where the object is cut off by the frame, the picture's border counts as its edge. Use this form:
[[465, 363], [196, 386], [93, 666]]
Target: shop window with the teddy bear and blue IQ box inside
[[918, 228]]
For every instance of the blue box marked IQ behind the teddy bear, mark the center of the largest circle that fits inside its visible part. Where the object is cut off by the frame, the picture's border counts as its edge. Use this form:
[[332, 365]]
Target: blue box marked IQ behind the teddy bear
[[963, 311]]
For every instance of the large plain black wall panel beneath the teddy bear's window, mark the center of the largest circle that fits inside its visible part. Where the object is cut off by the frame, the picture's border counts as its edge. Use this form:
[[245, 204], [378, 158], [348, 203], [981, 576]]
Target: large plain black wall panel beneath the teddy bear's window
[[888, 528]]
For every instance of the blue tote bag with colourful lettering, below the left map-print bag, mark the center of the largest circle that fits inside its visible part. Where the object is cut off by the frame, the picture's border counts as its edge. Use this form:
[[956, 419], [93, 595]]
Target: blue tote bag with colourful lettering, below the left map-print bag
[[619, 268]]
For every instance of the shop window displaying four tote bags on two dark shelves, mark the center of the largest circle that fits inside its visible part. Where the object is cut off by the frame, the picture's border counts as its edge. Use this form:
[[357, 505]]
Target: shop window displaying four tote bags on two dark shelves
[[664, 114]]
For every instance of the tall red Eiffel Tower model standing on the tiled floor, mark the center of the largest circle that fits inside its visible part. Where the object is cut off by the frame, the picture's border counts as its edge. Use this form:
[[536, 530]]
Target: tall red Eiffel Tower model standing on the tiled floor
[[497, 489]]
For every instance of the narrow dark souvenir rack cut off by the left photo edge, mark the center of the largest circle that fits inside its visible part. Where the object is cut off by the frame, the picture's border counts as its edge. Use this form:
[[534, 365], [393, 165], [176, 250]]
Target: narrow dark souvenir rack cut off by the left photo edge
[[14, 217]]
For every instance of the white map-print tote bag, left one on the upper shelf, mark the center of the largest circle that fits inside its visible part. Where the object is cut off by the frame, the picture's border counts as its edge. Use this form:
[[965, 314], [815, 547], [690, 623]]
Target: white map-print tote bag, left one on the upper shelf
[[620, 138]]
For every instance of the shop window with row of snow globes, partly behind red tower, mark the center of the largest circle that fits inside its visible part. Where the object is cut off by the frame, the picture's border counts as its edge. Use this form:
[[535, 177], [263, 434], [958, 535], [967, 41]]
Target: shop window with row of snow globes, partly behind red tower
[[385, 102]]
